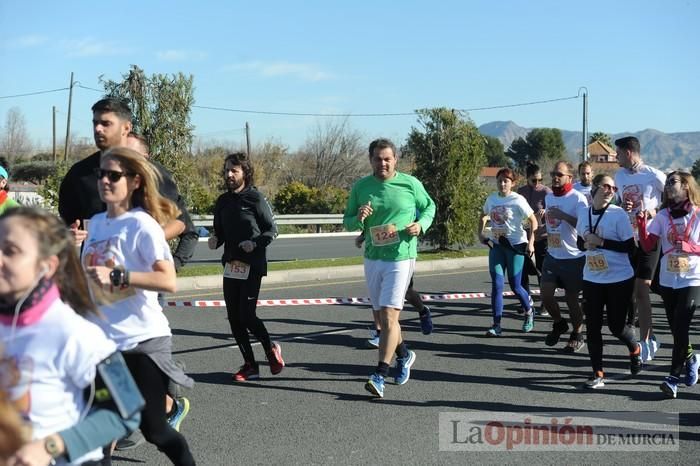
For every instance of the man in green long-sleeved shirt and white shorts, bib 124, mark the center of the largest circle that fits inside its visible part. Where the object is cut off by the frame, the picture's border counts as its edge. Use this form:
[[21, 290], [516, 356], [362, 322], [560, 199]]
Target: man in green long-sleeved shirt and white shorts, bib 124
[[384, 207]]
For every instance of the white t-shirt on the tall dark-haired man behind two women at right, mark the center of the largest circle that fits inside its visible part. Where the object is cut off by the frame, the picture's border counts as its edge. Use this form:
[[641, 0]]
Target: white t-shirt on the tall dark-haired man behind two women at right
[[643, 187]]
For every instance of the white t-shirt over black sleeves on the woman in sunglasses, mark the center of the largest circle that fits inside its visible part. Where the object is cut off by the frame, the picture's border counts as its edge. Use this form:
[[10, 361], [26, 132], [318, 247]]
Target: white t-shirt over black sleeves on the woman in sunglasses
[[604, 265]]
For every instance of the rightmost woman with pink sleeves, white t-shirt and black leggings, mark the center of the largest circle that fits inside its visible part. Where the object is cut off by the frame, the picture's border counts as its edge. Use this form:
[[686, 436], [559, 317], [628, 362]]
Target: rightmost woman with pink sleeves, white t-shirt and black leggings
[[676, 227]]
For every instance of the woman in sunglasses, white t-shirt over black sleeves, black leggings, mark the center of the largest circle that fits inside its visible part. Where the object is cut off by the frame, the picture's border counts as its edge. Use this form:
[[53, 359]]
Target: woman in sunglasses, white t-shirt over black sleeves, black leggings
[[606, 237]]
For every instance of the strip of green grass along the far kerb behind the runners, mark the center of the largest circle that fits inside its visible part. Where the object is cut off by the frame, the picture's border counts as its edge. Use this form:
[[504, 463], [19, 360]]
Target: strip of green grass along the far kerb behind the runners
[[193, 270]]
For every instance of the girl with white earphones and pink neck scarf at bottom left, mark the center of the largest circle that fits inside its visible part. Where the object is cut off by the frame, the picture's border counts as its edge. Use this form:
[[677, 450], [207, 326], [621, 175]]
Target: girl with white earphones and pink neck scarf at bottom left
[[48, 350]]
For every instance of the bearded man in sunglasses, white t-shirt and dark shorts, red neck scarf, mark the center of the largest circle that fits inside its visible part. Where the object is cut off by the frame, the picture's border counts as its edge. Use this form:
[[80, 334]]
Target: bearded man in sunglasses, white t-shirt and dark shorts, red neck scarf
[[563, 264]]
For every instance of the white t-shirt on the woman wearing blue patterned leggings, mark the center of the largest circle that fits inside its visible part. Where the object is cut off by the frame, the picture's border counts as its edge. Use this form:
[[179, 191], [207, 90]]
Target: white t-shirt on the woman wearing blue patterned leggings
[[507, 215]]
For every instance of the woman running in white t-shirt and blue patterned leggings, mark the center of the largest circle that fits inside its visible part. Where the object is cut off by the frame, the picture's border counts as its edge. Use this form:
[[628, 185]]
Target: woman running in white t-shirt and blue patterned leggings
[[509, 243]]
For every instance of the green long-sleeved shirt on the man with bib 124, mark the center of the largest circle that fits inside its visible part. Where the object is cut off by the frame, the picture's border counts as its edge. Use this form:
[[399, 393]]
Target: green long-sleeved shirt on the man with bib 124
[[395, 203]]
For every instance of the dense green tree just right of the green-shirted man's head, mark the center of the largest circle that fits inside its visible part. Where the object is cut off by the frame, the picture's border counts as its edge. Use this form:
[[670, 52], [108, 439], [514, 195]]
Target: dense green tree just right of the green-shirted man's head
[[449, 155]]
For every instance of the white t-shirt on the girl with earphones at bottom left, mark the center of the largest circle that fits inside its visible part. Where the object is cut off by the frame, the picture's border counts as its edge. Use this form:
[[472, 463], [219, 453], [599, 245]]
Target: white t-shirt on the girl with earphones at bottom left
[[51, 360]]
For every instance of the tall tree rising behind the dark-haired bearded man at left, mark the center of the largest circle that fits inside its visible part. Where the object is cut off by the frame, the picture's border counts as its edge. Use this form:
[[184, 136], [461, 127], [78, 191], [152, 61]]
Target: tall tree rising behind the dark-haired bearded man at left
[[162, 105]]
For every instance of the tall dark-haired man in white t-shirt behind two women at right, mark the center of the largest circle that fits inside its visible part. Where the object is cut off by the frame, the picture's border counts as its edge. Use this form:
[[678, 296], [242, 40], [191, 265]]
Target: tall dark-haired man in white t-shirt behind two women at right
[[640, 190]]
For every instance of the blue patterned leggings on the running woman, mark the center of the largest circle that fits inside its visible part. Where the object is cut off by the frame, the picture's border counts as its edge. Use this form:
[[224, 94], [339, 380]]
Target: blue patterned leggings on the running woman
[[501, 260]]
